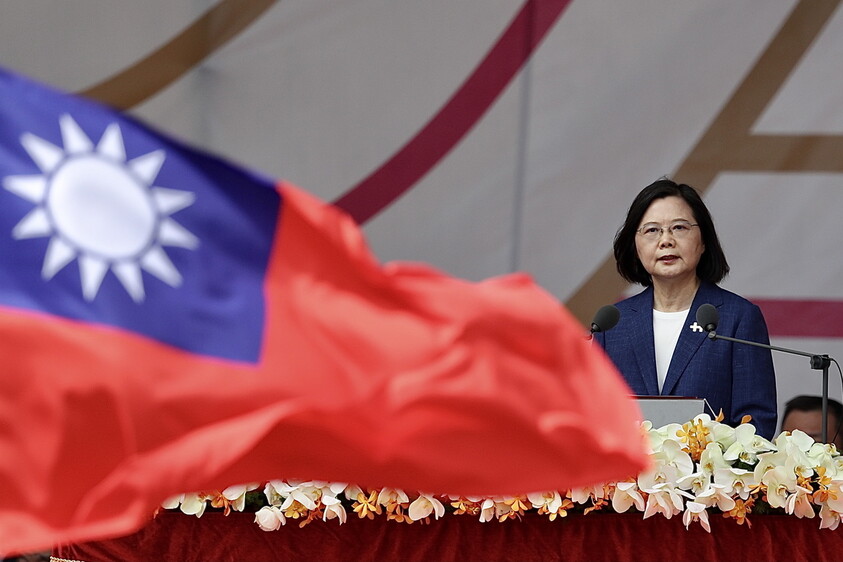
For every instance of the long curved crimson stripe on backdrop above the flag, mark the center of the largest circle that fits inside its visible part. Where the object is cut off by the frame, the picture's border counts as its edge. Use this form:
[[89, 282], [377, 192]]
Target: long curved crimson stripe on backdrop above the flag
[[465, 108]]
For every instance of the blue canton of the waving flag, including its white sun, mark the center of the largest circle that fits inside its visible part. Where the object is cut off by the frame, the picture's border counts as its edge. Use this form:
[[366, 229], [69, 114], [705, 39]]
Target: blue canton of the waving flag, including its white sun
[[104, 220]]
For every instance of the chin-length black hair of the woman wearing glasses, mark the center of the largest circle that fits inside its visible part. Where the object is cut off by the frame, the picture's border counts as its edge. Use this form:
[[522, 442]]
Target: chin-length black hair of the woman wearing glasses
[[712, 267]]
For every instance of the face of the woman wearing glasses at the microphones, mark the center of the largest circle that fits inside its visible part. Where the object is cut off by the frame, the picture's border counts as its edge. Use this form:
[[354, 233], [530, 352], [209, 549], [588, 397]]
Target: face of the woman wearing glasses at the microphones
[[673, 249]]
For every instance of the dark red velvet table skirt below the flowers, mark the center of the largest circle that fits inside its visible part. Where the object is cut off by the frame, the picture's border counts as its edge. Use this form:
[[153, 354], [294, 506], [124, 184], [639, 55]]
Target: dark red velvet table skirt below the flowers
[[173, 536]]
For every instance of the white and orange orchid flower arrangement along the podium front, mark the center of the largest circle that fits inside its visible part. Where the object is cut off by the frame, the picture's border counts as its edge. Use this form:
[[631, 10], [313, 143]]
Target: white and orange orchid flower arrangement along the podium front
[[698, 469]]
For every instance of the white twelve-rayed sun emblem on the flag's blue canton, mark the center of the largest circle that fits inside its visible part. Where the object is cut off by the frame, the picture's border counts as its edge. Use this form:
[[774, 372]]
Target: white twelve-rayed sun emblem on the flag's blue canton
[[101, 209]]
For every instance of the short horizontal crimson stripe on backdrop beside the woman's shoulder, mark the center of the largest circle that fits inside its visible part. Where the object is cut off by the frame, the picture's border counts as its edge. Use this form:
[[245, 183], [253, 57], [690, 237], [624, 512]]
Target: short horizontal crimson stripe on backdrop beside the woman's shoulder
[[803, 318]]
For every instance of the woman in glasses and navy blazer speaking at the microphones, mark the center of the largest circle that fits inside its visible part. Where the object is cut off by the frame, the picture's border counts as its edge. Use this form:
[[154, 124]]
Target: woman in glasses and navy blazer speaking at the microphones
[[668, 244]]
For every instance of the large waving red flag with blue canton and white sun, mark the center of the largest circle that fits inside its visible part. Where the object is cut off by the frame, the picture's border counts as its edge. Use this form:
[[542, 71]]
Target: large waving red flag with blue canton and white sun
[[170, 322]]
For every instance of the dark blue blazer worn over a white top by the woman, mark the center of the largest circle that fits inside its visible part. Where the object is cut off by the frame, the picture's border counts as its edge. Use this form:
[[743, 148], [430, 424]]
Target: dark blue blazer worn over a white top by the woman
[[736, 377]]
